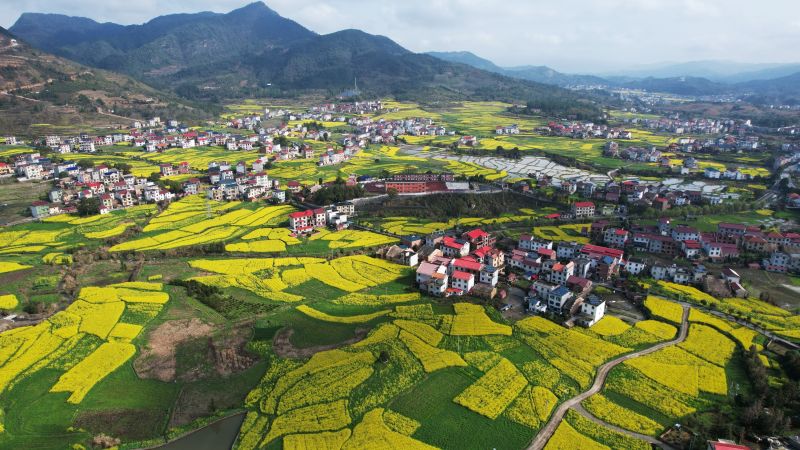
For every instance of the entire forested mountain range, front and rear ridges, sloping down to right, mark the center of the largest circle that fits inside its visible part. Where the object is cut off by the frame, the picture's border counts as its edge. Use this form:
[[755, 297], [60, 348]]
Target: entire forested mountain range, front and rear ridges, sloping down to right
[[253, 51]]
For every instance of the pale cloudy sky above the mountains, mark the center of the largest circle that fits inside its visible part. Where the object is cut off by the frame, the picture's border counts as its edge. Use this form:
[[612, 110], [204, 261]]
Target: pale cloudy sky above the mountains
[[569, 35]]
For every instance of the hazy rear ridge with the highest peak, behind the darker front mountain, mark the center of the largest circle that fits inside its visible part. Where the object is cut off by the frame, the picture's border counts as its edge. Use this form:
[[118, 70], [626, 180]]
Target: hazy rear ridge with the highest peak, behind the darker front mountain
[[165, 45]]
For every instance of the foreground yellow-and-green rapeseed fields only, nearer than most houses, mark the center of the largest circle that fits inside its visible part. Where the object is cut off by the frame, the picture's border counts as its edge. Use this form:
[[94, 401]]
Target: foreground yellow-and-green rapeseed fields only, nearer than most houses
[[394, 346]]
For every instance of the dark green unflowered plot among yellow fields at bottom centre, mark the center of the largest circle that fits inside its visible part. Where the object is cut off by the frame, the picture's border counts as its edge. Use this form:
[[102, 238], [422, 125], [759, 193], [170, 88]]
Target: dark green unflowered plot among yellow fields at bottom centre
[[445, 424]]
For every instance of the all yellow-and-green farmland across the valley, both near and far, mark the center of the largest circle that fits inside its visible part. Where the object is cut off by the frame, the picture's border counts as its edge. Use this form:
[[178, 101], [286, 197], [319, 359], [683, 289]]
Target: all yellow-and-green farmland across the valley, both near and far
[[151, 321]]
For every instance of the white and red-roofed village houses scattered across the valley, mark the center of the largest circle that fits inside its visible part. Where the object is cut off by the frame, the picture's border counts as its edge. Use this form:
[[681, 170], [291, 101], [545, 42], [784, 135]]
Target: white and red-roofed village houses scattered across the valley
[[561, 272]]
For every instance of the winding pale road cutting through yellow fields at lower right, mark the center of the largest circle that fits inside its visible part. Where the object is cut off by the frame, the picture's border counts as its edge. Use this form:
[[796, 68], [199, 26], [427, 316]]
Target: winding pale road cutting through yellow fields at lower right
[[545, 433]]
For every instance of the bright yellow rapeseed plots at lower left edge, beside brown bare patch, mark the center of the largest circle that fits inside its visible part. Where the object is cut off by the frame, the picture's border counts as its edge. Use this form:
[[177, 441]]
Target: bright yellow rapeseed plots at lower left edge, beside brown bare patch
[[94, 317]]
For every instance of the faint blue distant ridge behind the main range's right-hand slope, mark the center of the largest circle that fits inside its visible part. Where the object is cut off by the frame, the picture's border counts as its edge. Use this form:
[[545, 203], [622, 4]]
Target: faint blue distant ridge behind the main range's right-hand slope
[[539, 74]]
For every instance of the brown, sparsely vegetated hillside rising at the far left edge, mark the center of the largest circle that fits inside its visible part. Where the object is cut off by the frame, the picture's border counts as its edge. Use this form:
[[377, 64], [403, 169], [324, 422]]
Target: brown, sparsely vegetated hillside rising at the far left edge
[[40, 88]]
